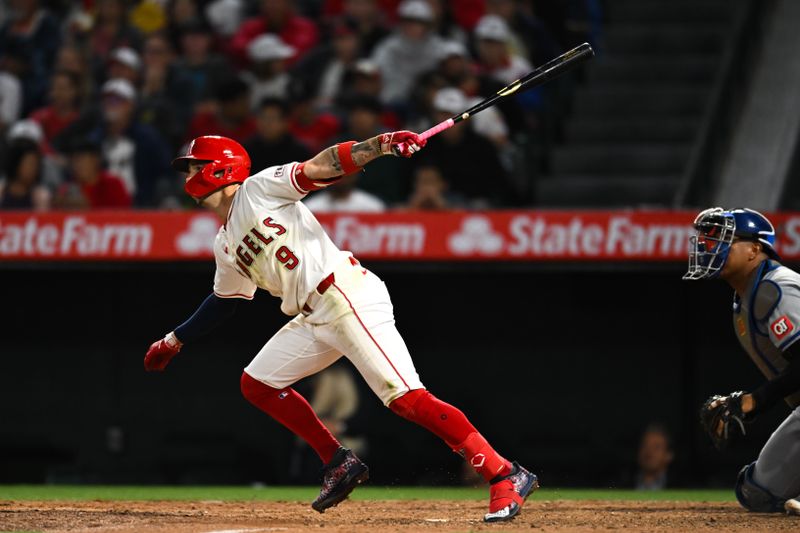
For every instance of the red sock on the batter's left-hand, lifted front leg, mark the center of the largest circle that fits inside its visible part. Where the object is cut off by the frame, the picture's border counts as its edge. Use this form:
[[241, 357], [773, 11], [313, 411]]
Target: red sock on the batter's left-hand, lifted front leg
[[293, 411]]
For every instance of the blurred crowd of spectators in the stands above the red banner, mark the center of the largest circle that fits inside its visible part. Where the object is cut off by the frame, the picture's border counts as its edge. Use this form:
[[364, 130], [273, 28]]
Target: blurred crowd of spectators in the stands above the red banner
[[97, 96]]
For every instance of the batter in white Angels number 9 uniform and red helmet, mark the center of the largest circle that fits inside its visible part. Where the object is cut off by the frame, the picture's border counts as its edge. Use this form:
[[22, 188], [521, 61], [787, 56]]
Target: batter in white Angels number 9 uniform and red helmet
[[270, 240]]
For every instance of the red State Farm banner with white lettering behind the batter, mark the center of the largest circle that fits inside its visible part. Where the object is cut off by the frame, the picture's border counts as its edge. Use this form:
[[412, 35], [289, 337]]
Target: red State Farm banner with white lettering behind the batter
[[403, 235]]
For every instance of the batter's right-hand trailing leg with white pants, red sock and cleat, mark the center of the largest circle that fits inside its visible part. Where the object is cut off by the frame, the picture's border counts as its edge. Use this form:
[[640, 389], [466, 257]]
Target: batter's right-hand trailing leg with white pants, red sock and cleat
[[368, 336]]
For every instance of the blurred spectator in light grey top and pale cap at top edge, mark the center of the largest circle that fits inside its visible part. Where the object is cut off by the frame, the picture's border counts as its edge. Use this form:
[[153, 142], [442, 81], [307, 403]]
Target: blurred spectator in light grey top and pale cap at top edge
[[411, 50]]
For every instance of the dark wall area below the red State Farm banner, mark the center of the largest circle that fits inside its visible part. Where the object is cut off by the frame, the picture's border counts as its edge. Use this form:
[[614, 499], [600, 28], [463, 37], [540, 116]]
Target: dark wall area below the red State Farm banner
[[559, 367]]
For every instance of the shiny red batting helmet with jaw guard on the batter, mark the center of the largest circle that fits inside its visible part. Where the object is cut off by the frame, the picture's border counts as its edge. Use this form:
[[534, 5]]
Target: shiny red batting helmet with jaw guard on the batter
[[226, 163]]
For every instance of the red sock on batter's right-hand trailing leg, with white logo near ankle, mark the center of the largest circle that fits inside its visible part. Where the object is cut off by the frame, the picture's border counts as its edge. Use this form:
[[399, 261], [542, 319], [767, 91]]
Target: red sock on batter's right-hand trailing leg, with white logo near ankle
[[452, 426]]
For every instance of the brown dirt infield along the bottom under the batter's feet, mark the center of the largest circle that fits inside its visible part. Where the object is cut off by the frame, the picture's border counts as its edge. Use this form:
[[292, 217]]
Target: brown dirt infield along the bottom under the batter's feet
[[380, 517]]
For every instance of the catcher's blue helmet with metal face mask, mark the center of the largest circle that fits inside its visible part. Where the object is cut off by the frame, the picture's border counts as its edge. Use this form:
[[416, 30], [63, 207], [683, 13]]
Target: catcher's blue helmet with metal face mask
[[716, 229]]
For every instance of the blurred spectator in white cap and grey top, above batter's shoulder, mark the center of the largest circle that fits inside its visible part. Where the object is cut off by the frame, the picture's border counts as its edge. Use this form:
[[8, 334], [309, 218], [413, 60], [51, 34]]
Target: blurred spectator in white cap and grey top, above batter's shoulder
[[267, 76]]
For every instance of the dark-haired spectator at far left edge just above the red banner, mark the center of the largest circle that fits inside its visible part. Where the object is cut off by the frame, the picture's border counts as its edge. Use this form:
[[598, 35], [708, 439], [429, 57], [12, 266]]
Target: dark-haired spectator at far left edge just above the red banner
[[22, 188]]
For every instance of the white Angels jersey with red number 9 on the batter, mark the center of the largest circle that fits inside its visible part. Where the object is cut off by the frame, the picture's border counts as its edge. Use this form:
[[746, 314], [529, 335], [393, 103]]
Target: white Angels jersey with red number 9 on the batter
[[272, 241]]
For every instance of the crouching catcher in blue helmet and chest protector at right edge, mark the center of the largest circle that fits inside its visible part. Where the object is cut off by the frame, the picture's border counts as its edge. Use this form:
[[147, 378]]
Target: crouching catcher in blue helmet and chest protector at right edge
[[738, 246]]
